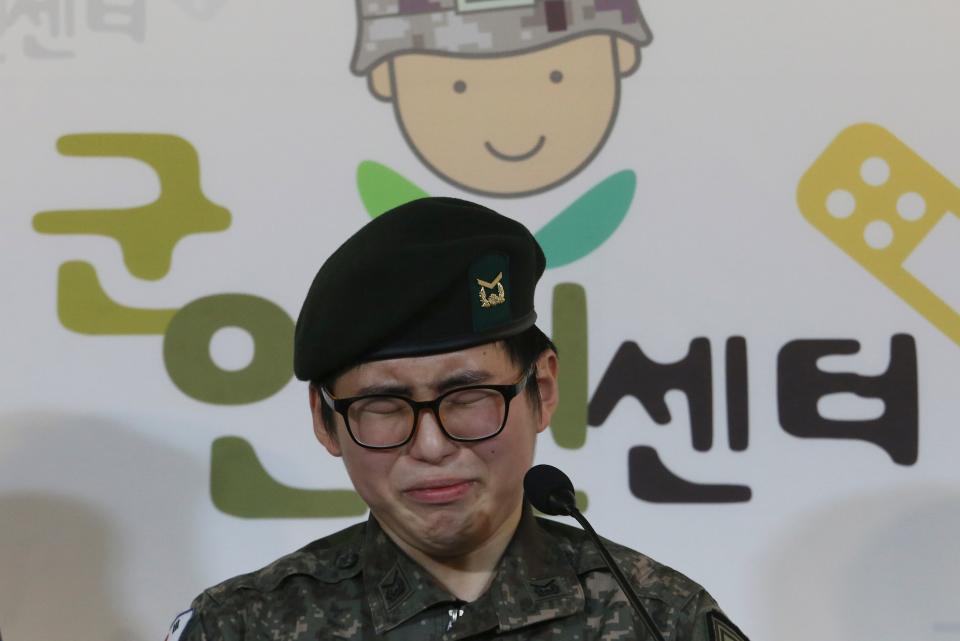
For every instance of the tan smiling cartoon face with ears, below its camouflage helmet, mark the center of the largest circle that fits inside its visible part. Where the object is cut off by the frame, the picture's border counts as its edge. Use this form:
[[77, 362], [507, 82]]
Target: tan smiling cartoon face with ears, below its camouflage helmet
[[509, 125]]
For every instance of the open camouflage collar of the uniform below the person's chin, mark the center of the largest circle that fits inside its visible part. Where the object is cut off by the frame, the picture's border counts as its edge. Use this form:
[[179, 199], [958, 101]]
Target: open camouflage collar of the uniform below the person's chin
[[536, 580]]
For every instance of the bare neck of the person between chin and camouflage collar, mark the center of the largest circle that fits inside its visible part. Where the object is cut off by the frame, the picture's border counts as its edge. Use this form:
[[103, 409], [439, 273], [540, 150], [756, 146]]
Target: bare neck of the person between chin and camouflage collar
[[466, 575]]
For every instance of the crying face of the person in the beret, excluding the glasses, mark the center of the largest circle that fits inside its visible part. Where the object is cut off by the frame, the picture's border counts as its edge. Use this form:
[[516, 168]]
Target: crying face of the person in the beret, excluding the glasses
[[439, 496]]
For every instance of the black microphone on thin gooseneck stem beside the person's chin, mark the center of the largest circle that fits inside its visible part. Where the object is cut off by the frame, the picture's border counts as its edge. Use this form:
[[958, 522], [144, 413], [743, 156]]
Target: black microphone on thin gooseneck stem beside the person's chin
[[550, 491]]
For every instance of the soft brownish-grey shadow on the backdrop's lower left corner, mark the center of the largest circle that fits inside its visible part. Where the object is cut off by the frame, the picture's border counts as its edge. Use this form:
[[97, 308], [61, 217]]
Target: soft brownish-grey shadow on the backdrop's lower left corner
[[91, 512]]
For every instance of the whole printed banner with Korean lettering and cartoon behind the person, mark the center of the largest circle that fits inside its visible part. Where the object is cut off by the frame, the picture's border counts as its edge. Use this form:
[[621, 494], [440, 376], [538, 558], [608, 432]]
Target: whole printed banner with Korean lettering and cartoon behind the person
[[750, 216]]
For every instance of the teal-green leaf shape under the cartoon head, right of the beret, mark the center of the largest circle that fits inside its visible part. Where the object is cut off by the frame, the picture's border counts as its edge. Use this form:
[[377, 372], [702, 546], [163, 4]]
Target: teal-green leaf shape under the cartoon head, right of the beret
[[589, 221]]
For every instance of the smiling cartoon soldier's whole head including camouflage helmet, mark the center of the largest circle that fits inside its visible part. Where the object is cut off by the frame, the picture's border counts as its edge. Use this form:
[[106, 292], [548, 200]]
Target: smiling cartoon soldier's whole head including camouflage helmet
[[501, 97]]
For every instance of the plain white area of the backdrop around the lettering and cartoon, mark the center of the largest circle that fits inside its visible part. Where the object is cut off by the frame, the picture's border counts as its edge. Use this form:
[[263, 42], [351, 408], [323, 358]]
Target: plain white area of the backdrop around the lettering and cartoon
[[107, 522]]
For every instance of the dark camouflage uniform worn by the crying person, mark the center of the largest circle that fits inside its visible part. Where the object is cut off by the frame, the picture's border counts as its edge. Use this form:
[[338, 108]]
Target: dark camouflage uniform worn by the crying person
[[551, 583]]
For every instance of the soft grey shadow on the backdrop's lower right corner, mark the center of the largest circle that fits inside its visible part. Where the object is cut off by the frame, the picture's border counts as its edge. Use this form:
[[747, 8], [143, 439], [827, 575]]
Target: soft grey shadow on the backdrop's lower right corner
[[882, 567]]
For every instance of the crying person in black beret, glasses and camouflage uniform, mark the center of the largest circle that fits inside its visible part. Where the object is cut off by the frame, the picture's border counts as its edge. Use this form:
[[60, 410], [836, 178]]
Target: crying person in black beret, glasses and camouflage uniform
[[430, 380]]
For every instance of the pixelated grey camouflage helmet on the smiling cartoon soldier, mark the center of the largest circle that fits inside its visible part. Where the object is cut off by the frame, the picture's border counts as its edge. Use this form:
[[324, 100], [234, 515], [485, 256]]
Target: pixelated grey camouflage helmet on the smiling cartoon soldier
[[485, 27]]
